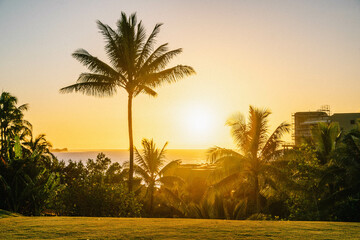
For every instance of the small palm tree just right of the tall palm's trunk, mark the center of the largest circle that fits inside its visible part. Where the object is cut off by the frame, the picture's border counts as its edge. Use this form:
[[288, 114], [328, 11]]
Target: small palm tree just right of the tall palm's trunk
[[150, 167]]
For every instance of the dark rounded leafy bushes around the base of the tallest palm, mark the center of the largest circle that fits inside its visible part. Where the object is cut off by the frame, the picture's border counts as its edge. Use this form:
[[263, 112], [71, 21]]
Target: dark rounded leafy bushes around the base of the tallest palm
[[95, 189]]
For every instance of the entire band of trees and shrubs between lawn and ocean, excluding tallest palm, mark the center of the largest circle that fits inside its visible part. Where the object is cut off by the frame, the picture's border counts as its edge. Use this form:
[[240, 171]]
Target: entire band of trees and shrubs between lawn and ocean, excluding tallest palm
[[319, 180]]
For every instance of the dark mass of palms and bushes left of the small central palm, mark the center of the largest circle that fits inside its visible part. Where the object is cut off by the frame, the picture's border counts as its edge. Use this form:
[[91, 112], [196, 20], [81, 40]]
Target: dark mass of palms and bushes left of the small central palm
[[34, 182]]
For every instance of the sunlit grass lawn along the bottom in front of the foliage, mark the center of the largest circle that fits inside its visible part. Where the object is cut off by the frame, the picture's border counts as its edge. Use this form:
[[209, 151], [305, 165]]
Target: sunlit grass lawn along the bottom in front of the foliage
[[150, 228]]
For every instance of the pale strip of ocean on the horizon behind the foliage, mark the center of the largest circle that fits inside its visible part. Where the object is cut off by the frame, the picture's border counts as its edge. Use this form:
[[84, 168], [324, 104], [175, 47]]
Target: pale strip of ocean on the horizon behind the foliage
[[187, 156]]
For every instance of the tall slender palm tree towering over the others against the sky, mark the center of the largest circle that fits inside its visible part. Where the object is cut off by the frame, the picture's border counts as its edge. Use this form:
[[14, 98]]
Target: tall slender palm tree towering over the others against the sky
[[135, 65]]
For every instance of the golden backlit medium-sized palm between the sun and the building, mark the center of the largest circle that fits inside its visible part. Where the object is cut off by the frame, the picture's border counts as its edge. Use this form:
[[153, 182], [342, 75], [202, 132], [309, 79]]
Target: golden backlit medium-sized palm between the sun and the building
[[249, 170]]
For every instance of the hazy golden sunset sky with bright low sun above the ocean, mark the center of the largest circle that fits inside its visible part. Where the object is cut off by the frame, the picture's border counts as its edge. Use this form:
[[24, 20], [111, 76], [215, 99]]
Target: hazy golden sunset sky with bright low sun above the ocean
[[286, 56]]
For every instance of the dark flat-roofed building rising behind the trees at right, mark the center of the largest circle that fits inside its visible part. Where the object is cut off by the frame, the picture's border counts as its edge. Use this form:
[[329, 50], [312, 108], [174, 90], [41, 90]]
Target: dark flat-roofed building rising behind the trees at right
[[304, 121]]
